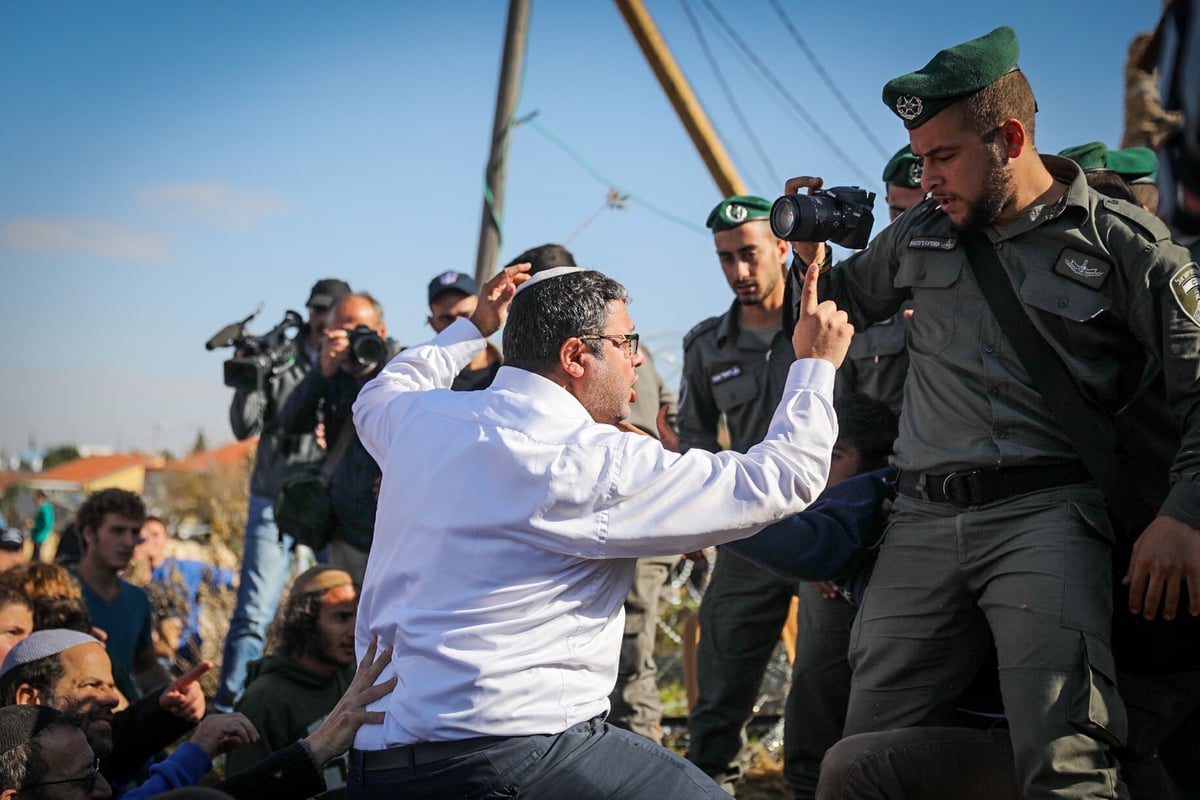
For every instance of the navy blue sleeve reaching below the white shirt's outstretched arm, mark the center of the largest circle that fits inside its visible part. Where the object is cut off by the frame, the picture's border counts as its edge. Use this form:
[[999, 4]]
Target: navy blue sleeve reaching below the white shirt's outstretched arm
[[830, 539]]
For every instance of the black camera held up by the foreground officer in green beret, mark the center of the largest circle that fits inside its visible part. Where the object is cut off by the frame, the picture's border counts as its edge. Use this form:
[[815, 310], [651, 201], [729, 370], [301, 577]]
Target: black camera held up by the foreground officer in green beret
[[843, 215]]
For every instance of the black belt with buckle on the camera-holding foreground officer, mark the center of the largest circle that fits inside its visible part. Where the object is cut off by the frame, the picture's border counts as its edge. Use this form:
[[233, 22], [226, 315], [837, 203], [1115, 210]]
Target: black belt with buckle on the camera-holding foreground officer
[[976, 488]]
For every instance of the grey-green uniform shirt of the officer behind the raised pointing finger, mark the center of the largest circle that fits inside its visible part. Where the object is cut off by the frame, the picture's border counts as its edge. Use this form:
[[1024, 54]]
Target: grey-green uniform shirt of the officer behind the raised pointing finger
[[730, 372]]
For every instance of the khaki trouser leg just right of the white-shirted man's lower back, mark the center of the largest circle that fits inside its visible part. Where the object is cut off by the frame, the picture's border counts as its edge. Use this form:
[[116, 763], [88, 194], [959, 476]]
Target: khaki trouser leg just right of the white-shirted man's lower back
[[635, 701]]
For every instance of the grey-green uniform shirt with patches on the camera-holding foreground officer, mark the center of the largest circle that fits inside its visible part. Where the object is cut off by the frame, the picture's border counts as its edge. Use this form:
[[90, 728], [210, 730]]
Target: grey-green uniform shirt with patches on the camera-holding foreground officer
[[1096, 276]]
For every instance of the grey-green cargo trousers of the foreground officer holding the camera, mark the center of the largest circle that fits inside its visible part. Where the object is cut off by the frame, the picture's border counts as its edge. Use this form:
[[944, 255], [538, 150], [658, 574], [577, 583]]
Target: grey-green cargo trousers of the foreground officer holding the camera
[[1035, 570]]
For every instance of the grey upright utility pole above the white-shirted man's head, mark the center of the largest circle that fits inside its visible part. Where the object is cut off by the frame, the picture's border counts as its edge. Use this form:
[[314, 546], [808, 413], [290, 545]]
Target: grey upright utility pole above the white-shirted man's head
[[512, 65]]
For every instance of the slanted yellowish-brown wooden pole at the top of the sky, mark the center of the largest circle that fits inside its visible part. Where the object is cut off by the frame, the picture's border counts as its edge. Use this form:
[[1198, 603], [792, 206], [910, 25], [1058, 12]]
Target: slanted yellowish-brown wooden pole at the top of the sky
[[685, 101]]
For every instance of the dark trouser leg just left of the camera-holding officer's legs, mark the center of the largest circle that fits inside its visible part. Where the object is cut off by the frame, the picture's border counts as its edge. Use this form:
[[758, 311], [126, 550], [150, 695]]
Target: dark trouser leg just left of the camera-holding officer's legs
[[817, 702]]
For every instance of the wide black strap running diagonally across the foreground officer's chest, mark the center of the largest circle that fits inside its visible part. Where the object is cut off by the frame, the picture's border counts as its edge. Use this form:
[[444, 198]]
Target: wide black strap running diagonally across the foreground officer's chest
[[1088, 428]]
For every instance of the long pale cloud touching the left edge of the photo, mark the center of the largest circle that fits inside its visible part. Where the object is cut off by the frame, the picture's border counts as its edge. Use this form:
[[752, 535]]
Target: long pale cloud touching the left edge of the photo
[[85, 236]]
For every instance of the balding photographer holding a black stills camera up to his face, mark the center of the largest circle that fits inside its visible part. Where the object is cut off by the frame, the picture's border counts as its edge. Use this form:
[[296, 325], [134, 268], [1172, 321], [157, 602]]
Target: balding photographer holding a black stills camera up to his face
[[355, 348]]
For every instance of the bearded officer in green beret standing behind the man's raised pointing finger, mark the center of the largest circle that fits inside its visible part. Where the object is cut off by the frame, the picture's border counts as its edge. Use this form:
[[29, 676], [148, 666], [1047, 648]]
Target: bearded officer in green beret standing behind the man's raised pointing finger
[[735, 368]]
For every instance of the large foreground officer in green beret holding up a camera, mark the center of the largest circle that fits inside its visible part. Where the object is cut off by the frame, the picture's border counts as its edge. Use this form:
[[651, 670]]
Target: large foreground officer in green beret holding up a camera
[[999, 531]]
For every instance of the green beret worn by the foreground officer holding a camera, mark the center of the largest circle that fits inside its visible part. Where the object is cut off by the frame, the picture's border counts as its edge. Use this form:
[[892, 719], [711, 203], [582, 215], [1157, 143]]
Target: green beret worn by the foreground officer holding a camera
[[952, 75]]
